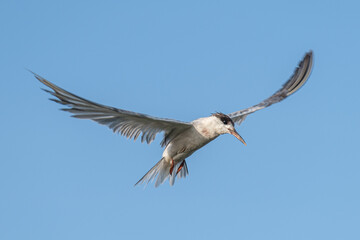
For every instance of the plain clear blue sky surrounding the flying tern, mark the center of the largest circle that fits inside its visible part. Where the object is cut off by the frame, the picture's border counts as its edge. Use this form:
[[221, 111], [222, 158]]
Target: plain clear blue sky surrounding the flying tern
[[63, 178]]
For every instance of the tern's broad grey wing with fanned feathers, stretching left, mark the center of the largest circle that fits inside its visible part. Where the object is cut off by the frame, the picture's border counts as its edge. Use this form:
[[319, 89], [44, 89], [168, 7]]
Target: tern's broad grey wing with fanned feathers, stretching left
[[129, 124]]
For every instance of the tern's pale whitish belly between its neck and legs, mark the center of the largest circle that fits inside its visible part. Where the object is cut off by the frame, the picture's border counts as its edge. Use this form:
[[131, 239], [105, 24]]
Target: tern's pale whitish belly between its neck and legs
[[184, 145]]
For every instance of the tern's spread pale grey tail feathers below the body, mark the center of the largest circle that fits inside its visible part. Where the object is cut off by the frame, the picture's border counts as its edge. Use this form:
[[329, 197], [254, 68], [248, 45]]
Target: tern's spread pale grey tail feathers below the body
[[162, 171]]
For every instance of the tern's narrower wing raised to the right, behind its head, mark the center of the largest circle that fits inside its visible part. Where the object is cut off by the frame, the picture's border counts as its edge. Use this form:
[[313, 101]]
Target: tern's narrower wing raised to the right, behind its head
[[297, 80]]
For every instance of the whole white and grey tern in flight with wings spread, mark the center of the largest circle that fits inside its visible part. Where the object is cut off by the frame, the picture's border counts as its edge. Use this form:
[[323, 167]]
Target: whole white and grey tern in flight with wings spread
[[181, 139]]
